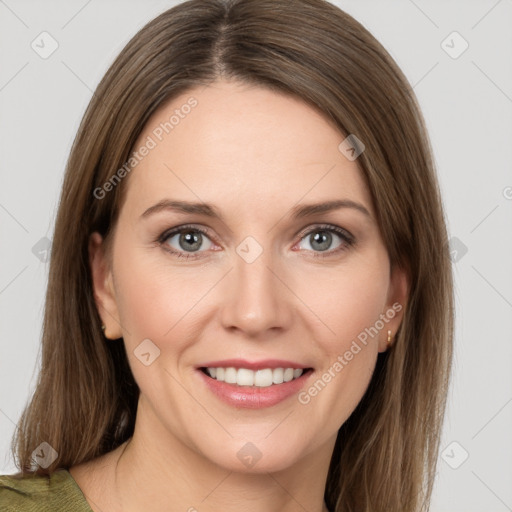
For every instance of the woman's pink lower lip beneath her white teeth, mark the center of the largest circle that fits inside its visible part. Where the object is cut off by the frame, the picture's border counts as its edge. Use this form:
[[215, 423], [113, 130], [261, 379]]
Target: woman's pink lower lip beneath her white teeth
[[253, 397]]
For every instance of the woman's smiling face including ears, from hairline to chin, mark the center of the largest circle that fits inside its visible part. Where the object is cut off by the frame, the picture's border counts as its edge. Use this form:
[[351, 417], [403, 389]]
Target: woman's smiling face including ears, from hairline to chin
[[220, 261]]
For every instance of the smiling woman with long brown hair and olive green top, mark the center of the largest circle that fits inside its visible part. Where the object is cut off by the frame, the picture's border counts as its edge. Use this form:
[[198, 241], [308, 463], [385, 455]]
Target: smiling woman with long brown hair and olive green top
[[250, 294]]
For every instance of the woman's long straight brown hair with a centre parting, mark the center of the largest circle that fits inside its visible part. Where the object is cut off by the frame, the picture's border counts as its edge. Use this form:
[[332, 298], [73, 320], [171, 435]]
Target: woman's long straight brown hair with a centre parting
[[85, 401]]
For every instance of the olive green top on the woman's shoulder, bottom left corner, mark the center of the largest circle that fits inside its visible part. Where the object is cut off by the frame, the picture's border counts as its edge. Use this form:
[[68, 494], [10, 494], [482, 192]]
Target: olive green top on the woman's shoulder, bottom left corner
[[55, 493]]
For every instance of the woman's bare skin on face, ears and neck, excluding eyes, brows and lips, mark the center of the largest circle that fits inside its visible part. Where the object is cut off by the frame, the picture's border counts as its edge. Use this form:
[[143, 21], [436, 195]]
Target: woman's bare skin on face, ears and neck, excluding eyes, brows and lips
[[254, 154]]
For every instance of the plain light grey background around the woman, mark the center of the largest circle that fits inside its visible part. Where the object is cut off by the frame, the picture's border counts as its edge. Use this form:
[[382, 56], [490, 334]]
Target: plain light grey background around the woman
[[467, 103]]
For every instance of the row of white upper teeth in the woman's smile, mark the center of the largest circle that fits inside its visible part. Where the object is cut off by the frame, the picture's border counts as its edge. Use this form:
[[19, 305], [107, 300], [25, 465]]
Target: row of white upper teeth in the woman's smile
[[259, 378]]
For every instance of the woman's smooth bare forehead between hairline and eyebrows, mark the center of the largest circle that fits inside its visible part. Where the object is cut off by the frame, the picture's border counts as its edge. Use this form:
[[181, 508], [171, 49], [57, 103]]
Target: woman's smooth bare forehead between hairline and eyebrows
[[244, 146]]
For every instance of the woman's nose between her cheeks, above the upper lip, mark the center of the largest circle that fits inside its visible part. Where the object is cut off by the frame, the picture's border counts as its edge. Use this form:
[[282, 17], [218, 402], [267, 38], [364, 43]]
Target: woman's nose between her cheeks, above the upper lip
[[257, 301]]
